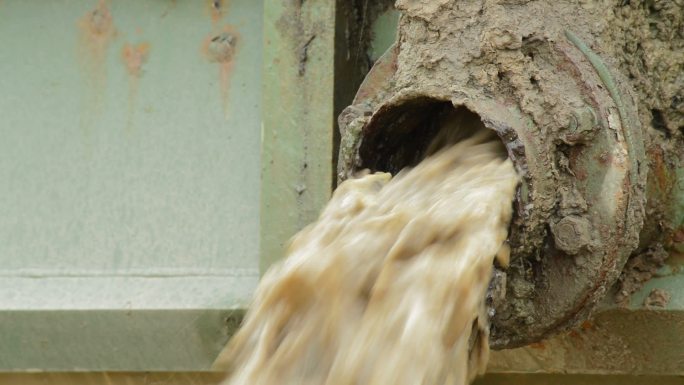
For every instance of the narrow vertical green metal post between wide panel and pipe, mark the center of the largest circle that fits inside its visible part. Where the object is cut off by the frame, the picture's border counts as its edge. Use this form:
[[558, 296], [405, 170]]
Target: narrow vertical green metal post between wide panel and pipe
[[298, 119]]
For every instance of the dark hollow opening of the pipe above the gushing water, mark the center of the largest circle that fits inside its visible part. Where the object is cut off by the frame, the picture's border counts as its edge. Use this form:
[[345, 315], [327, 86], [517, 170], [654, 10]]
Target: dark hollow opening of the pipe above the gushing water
[[401, 135]]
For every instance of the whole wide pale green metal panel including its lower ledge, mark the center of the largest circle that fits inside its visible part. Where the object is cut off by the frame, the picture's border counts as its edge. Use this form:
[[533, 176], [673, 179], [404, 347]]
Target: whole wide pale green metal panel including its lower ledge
[[129, 181]]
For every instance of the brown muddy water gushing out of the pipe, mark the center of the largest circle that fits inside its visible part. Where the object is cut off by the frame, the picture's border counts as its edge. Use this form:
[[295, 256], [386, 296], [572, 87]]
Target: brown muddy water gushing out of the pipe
[[388, 286]]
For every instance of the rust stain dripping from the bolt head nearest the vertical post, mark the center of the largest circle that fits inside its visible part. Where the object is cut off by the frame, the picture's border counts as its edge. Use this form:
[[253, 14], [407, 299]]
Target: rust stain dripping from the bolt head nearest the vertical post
[[221, 48]]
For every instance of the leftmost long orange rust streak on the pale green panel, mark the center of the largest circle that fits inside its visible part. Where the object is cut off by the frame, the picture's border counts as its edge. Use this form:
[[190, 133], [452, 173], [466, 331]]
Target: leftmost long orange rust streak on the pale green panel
[[96, 32]]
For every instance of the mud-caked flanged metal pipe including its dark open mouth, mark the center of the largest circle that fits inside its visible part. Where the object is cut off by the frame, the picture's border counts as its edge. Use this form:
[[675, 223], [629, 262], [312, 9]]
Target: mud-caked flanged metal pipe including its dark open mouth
[[581, 115]]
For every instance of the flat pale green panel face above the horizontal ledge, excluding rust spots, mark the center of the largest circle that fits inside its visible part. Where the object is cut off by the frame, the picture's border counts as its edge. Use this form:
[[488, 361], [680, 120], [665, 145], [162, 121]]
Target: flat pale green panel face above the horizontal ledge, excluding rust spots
[[107, 171]]
